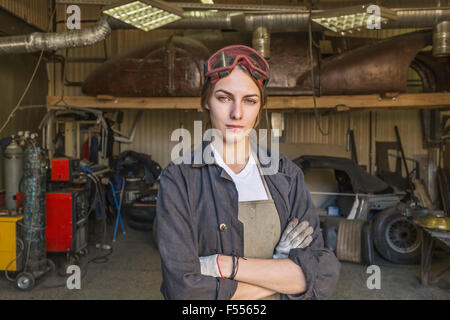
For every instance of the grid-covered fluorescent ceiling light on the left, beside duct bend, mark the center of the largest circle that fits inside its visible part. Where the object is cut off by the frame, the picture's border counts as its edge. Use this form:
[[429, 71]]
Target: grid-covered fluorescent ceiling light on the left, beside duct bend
[[144, 14]]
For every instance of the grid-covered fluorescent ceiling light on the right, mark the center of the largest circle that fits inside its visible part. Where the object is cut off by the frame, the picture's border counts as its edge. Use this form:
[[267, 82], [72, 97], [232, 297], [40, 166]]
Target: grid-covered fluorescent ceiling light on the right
[[352, 18]]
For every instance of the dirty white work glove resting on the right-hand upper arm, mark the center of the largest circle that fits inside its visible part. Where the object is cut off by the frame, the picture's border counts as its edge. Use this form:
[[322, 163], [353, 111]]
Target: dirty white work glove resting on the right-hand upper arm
[[296, 235]]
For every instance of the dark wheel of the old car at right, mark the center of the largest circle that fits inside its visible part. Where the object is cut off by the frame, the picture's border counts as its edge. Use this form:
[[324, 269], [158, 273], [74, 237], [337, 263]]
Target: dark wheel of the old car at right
[[396, 238]]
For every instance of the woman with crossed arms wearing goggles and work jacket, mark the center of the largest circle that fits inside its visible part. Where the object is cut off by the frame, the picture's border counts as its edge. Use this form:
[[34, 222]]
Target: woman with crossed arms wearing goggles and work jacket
[[225, 230]]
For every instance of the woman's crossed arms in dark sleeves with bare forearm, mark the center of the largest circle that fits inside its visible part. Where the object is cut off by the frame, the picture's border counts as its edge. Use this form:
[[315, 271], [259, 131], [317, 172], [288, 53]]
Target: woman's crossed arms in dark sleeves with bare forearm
[[314, 271]]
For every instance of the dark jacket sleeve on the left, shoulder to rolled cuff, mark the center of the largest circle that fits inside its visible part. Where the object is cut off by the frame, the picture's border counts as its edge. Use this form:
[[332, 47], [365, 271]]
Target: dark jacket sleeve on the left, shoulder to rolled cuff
[[178, 247]]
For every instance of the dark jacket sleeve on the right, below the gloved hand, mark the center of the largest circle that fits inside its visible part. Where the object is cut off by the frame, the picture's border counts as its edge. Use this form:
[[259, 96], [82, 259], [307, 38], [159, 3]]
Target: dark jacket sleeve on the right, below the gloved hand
[[319, 265]]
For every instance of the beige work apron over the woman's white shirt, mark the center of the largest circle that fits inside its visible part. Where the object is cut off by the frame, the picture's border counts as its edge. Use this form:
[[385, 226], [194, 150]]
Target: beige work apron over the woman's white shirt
[[262, 229]]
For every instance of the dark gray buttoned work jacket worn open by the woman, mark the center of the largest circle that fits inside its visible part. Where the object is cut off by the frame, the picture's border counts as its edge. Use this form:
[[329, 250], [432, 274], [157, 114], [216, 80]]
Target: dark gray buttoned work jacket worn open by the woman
[[197, 210]]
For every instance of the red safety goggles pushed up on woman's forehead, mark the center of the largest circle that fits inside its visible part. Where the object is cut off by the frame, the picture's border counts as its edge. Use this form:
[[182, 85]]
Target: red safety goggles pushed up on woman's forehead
[[222, 63]]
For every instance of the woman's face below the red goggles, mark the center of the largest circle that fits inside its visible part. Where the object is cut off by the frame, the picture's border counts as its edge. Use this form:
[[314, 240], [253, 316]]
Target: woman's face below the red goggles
[[234, 105]]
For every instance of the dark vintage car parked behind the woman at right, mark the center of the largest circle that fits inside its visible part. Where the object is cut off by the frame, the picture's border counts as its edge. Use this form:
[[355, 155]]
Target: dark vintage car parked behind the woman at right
[[340, 184]]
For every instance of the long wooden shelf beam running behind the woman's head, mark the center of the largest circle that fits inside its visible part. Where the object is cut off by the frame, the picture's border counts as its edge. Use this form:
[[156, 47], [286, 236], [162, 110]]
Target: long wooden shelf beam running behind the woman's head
[[280, 103]]
